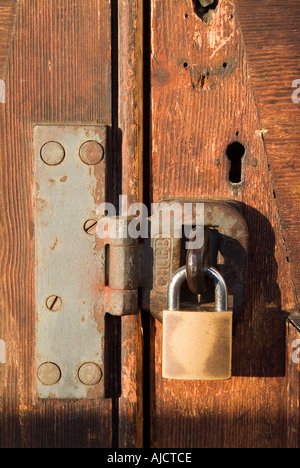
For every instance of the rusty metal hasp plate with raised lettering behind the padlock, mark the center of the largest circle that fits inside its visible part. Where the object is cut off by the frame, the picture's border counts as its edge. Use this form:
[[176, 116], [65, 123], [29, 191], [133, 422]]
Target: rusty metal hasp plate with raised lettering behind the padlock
[[167, 254]]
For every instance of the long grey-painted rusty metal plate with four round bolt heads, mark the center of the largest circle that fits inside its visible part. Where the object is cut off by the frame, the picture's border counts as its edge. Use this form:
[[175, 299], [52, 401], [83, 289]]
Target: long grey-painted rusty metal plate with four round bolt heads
[[70, 182]]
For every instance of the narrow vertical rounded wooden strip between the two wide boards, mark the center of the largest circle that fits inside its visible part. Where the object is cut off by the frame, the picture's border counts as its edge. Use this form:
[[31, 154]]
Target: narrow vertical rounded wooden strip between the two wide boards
[[130, 45]]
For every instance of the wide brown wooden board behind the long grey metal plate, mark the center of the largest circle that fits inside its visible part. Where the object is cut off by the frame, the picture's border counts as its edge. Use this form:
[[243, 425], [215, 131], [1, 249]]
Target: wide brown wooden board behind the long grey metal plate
[[59, 71]]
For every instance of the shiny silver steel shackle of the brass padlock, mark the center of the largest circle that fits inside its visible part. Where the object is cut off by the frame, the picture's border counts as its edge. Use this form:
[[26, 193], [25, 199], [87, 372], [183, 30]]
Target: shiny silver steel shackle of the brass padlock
[[178, 279]]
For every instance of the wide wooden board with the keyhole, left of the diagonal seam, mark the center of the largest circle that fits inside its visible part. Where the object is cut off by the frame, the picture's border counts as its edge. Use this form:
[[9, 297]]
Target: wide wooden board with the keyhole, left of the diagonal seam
[[202, 100]]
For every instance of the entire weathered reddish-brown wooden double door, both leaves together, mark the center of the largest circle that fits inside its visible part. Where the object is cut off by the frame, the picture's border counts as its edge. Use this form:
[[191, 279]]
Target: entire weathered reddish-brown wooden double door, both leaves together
[[176, 83]]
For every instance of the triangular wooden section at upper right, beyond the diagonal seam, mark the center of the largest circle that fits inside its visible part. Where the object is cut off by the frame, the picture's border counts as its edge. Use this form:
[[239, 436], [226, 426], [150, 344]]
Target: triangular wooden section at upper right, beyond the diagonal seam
[[271, 35]]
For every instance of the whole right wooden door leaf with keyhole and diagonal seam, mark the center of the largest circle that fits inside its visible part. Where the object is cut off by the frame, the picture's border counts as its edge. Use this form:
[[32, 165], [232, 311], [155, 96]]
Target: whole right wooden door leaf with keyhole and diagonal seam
[[224, 74]]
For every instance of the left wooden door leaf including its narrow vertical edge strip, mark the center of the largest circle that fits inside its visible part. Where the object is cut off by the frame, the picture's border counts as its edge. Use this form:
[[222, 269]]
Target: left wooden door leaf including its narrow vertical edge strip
[[60, 62]]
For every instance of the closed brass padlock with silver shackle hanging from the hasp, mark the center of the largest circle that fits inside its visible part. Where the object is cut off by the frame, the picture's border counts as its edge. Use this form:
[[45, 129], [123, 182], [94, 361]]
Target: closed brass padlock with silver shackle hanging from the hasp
[[197, 345]]
